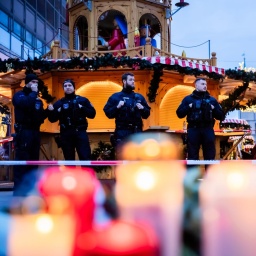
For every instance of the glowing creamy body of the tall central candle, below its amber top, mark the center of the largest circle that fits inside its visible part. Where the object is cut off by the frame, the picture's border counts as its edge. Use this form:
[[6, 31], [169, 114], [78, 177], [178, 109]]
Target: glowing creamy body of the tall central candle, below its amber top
[[152, 192]]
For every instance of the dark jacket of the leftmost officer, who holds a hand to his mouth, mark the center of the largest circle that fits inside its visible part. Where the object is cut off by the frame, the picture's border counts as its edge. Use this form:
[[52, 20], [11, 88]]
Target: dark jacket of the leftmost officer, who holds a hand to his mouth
[[28, 109]]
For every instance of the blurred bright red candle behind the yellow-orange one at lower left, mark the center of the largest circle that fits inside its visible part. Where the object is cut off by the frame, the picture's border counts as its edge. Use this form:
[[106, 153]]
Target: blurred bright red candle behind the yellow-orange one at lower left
[[78, 185]]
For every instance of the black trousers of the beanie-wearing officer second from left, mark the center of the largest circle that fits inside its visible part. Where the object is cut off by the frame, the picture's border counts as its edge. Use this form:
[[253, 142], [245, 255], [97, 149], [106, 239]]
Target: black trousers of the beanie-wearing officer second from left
[[73, 140]]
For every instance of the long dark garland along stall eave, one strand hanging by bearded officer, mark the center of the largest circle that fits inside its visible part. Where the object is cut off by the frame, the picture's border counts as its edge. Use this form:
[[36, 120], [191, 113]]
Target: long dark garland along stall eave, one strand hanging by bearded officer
[[91, 64]]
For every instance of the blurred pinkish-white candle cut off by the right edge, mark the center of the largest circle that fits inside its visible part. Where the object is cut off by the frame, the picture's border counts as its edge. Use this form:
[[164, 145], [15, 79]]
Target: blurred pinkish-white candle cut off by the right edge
[[228, 199]]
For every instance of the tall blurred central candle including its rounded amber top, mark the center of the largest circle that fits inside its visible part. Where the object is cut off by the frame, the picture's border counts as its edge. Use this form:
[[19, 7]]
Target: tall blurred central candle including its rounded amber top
[[151, 190]]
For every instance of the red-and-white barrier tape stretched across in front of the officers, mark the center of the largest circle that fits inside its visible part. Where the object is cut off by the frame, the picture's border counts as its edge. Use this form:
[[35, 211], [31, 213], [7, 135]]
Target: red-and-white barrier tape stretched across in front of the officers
[[112, 163]]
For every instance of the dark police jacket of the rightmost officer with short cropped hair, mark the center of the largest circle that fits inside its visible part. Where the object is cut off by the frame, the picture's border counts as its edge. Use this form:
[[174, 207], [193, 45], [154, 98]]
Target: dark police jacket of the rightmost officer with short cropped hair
[[200, 114]]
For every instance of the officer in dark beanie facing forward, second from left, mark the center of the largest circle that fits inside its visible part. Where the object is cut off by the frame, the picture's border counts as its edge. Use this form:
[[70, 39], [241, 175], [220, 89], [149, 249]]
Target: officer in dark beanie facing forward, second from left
[[72, 112]]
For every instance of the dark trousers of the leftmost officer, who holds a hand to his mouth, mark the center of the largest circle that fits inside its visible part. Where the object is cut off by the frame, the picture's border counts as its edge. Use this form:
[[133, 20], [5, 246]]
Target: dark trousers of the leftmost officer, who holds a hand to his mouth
[[27, 147]]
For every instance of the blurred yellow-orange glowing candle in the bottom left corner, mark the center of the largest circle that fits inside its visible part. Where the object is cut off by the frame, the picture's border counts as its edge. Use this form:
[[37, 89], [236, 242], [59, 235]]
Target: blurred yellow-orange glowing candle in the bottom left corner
[[41, 234]]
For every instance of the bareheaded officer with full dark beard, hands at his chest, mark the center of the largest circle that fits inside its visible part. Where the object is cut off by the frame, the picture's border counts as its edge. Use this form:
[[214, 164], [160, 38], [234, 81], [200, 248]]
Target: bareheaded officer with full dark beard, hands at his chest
[[128, 108]]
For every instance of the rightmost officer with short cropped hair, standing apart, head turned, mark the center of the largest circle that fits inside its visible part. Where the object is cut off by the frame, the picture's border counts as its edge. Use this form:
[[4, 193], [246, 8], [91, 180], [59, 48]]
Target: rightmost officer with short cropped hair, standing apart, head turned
[[201, 110]]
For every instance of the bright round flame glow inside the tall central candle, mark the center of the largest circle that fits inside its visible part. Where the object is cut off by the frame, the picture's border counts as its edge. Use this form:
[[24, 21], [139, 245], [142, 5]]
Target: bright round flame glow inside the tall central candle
[[145, 178]]
